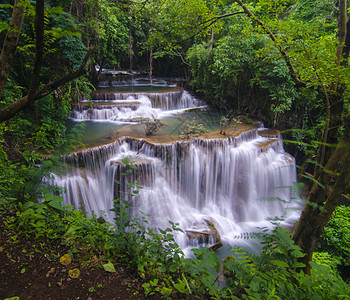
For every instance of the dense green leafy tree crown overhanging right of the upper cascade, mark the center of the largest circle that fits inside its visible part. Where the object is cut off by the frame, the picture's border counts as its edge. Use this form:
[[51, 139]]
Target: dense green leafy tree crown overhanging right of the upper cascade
[[239, 62]]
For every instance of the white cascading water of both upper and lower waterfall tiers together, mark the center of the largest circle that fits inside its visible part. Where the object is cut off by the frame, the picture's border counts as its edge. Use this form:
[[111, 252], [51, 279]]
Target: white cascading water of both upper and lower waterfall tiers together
[[235, 183]]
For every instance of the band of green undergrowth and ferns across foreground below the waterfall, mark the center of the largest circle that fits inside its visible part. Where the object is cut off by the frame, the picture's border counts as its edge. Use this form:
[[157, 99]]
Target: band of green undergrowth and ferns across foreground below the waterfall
[[160, 263]]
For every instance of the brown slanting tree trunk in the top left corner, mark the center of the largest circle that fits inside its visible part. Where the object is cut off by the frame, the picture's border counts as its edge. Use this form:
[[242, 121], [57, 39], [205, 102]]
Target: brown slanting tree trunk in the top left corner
[[10, 43]]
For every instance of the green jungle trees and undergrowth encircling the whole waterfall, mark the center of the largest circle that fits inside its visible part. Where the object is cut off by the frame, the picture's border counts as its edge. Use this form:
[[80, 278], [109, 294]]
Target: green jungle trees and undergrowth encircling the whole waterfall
[[282, 61]]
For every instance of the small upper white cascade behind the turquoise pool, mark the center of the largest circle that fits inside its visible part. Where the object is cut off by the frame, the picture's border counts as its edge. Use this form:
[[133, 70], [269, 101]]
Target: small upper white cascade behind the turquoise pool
[[133, 107]]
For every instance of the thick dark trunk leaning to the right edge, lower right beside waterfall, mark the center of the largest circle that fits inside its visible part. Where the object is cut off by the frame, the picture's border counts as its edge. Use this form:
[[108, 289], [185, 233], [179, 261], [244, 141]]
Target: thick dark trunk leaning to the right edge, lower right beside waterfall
[[324, 197]]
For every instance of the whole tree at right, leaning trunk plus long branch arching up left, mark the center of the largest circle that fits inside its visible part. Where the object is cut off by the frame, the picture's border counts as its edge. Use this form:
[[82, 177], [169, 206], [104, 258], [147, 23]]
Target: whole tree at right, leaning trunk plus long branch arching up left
[[332, 173]]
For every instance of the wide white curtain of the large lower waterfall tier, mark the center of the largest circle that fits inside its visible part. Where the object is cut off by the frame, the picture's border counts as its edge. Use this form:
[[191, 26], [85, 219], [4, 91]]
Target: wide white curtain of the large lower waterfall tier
[[227, 182]]
